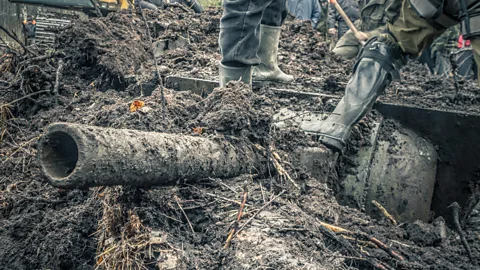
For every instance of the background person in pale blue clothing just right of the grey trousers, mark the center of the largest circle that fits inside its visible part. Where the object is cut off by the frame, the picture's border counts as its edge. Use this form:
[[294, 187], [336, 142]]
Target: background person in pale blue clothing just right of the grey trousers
[[305, 10]]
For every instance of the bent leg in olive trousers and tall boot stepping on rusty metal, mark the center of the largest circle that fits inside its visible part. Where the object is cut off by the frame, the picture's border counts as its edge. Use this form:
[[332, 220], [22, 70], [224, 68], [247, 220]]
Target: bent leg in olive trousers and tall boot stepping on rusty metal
[[378, 64]]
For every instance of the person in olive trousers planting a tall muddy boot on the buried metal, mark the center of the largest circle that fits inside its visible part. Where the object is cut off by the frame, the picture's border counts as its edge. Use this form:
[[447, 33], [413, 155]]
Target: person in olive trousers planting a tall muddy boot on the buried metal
[[412, 26]]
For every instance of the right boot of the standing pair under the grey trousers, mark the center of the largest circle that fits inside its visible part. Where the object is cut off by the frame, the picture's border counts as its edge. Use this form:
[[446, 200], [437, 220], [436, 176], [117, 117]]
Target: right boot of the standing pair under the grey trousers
[[268, 70]]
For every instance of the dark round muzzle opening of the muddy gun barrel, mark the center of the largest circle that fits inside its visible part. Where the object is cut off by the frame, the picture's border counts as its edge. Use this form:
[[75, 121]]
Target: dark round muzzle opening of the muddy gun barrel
[[60, 154]]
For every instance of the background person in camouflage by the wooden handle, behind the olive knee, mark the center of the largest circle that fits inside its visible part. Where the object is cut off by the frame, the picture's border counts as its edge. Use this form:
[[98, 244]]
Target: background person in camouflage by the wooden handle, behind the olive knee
[[372, 18]]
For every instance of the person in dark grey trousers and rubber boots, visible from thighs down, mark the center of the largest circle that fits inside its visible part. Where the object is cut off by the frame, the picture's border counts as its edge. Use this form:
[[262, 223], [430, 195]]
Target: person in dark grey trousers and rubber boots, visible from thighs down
[[249, 37]]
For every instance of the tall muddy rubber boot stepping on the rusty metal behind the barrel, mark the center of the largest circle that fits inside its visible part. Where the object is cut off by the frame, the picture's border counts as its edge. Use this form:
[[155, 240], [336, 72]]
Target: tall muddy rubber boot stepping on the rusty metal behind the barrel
[[376, 67]]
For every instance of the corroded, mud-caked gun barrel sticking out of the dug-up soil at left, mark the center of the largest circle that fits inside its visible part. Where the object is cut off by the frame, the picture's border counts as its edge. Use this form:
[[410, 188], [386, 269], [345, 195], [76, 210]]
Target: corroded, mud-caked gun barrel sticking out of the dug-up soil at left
[[80, 156]]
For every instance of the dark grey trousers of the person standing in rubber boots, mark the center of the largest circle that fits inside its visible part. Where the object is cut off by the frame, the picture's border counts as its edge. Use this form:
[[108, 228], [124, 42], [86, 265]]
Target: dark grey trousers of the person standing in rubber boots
[[239, 28]]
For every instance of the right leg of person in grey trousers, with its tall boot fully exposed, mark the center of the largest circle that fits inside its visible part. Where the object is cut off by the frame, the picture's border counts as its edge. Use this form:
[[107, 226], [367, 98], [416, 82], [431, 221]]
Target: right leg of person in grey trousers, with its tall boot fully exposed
[[270, 29]]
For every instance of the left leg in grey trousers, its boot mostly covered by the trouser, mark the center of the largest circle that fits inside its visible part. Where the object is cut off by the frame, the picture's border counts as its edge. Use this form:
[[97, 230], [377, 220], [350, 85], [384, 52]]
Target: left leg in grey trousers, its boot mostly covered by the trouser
[[239, 39]]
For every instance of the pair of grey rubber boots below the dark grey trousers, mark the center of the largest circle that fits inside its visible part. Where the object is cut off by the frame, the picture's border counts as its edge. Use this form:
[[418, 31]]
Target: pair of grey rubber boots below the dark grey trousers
[[267, 70]]
